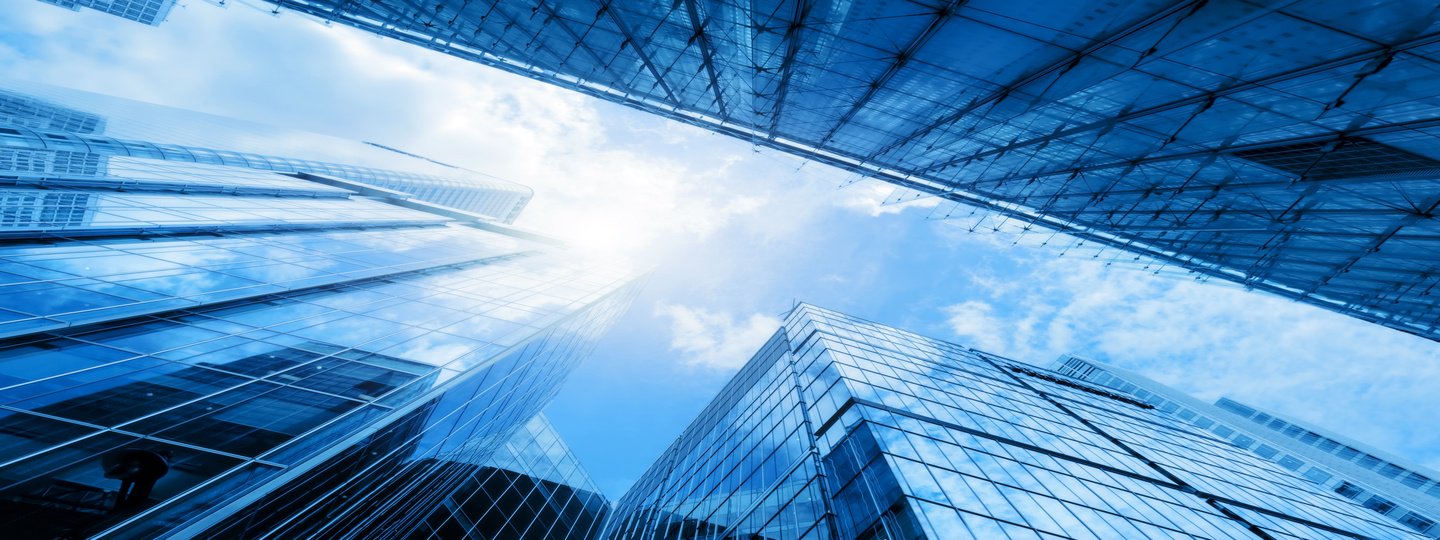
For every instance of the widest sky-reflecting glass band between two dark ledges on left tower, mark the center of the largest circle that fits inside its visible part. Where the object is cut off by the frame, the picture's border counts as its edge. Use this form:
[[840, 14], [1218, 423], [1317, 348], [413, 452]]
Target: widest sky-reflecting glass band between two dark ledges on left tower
[[99, 280]]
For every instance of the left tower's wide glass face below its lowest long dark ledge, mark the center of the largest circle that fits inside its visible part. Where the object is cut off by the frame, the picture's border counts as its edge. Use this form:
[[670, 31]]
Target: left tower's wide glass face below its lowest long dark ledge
[[237, 385]]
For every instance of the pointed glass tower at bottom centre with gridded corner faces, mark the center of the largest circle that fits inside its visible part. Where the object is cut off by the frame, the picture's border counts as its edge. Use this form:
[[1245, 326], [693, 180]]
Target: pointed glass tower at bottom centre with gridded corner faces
[[842, 428]]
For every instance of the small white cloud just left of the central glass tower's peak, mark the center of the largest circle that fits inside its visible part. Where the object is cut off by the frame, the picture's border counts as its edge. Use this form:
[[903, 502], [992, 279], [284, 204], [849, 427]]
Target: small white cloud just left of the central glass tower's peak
[[716, 341]]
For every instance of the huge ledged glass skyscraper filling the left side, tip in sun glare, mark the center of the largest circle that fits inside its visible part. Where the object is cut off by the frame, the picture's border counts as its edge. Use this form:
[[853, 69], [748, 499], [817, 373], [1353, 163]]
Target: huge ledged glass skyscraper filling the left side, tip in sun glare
[[194, 348]]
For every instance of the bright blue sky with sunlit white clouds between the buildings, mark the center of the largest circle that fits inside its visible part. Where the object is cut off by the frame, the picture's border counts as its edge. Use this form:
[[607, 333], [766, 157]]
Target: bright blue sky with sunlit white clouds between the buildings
[[737, 235]]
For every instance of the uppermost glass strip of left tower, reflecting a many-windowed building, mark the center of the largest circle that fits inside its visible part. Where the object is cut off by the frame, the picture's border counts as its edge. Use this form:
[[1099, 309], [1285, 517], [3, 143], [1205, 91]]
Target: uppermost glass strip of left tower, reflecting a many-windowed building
[[50, 139]]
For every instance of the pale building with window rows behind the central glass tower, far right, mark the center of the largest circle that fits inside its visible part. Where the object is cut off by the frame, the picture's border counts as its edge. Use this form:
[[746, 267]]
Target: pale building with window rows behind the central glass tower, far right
[[1383, 483]]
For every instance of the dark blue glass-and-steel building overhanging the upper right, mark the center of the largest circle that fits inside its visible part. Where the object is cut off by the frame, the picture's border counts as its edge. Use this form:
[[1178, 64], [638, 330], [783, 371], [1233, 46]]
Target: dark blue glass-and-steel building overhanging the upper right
[[1290, 148]]
